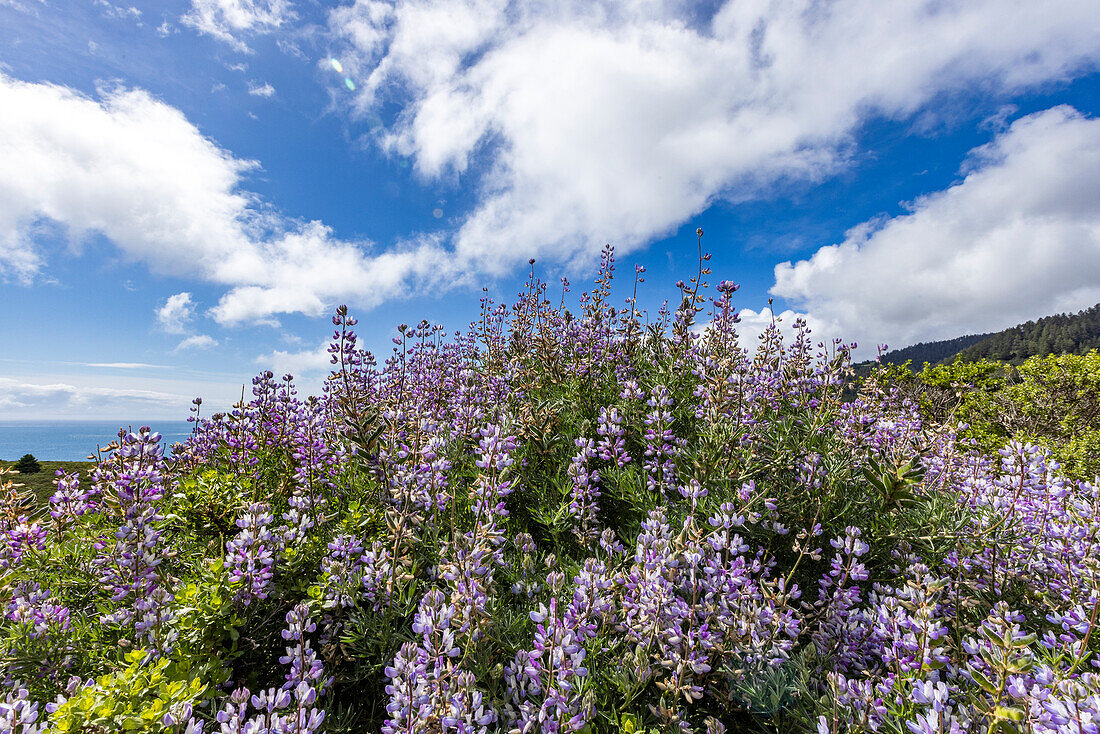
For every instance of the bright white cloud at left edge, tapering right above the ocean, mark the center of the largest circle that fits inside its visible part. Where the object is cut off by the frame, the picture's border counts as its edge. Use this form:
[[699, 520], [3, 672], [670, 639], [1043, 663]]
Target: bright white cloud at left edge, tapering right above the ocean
[[136, 170]]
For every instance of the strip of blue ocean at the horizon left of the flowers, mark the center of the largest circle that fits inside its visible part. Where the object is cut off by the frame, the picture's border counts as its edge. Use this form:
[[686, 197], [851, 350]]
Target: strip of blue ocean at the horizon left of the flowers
[[73, 441]]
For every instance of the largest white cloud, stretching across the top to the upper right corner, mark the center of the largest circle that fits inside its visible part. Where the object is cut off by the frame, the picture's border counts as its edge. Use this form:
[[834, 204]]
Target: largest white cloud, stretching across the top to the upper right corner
[[619, 120]]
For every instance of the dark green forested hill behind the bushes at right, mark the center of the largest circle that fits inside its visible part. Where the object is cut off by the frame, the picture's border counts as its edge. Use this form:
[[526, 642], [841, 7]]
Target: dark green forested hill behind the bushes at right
[[1064, 334]]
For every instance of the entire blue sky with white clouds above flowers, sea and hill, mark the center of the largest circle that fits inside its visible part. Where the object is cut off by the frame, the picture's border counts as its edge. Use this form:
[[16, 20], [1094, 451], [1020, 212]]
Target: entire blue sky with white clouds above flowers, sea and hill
[[189, 189]]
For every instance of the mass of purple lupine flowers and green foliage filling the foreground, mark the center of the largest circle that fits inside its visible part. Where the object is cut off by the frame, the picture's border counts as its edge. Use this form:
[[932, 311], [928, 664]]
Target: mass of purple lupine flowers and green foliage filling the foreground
[[562, 521]]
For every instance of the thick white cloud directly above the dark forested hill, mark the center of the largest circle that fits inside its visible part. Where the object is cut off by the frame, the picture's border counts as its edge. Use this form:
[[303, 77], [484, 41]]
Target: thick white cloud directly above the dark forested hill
[[1018, 238]]
